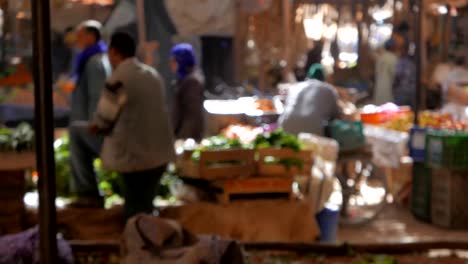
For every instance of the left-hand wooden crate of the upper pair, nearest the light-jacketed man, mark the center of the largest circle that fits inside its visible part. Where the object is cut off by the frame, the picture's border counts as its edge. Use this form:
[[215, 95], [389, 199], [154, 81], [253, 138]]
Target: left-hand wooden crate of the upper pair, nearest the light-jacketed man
[[219, 164]]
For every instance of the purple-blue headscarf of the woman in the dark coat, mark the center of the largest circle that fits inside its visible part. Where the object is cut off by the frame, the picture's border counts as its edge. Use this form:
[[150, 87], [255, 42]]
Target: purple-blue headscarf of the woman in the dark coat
[[185, 57]]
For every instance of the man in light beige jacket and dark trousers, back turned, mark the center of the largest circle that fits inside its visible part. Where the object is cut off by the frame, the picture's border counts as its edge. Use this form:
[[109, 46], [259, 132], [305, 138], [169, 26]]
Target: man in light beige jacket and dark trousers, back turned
[[132, 113]]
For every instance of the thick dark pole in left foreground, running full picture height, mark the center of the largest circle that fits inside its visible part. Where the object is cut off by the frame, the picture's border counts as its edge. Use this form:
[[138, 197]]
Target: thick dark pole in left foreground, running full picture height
[[44, 129]]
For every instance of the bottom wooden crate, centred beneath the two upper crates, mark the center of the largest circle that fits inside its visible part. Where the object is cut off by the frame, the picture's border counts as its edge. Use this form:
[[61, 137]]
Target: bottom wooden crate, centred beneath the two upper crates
[[255, 185]]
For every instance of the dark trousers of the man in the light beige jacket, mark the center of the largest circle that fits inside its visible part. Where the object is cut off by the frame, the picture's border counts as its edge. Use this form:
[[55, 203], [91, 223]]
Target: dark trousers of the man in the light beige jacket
[[140, 190]]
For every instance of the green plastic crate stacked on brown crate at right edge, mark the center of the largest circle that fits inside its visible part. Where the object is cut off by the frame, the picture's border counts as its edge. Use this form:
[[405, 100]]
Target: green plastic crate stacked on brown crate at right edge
[[447, 149]]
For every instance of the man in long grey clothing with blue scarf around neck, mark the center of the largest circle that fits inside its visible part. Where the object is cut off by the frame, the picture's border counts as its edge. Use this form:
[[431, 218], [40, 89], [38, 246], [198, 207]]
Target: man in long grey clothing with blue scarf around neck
[[91, 70]]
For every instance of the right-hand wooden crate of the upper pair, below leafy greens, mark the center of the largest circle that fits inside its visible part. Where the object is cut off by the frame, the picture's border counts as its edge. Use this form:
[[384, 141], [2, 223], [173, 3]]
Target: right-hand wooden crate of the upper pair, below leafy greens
[[284, 162]]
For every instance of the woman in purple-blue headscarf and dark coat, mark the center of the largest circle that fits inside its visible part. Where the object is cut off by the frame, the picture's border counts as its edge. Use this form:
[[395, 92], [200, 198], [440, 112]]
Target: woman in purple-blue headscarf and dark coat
[[188, 117]]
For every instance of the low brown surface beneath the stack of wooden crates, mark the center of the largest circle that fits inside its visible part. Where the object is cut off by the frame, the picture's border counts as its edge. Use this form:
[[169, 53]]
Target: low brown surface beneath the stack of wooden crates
[[249, 221]]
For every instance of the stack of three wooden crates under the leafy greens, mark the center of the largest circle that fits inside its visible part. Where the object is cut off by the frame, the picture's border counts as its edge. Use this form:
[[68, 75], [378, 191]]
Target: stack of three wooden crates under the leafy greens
[[244, 172]]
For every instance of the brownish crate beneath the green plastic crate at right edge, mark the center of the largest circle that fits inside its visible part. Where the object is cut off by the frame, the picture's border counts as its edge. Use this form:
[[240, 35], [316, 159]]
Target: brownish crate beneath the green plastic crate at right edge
[[448, 201]]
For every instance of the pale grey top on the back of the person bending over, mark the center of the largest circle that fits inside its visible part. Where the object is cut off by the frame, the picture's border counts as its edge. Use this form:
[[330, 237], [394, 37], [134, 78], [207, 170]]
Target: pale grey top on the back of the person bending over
[[309, 106]]
